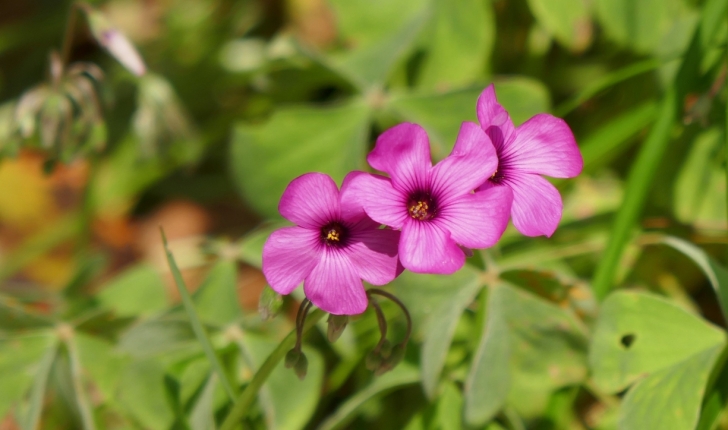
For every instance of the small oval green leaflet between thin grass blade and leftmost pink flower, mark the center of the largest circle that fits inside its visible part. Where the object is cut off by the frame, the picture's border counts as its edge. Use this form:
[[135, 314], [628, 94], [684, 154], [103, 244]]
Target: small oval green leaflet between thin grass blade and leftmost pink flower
[[216, 300]]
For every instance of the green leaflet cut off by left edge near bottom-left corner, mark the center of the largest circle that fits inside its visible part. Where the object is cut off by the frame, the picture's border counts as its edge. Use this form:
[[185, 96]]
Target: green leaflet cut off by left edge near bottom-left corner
[[20, 360]]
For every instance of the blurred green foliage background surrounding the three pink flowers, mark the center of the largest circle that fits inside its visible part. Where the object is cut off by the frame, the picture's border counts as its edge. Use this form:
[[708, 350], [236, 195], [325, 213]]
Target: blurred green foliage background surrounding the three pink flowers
[[240, 97]]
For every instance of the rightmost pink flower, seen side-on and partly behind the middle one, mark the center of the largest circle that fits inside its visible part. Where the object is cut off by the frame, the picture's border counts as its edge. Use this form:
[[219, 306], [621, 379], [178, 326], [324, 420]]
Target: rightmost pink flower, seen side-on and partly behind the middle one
[[543, 145]]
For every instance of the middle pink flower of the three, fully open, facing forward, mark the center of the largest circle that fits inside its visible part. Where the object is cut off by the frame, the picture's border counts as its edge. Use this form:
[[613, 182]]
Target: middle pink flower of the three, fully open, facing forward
[[434, 206]]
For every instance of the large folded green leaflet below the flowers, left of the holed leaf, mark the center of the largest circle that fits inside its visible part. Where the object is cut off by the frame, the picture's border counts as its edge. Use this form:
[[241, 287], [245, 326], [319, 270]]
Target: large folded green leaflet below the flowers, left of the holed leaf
[[528, 345]]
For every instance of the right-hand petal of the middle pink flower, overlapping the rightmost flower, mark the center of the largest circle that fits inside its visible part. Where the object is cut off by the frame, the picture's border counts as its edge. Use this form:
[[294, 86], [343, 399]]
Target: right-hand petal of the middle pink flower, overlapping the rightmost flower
[[478, 220]]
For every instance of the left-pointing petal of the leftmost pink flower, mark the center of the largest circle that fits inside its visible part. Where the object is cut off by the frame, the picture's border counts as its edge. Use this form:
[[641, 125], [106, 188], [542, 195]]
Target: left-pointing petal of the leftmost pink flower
[[289, 256]]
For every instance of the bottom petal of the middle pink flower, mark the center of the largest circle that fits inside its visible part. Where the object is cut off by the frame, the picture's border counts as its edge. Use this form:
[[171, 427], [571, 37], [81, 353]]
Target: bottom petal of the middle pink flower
[[424, 247]]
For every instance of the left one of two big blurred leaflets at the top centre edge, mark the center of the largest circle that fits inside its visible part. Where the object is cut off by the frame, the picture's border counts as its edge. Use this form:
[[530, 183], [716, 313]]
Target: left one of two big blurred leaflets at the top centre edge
[[379, 32]]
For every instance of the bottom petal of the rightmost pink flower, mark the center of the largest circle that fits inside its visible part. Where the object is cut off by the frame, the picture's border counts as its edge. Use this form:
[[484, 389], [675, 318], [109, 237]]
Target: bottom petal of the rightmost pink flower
[[537, 204]]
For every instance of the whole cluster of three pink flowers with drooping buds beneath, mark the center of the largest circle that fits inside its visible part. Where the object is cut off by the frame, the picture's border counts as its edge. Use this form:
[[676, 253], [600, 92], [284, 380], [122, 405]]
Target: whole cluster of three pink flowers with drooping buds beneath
[[418, 217]]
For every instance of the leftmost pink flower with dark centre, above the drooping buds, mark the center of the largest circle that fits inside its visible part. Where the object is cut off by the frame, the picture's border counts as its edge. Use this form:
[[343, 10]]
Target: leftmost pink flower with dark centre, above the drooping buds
[[333, 247]]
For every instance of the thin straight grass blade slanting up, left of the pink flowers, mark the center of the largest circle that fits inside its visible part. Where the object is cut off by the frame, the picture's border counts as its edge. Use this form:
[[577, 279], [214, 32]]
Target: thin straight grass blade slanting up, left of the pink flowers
[[197, 326]]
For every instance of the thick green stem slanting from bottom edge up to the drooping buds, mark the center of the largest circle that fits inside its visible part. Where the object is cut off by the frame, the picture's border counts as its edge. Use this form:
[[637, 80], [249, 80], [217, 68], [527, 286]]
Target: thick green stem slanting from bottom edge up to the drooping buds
[[242, 404]]
